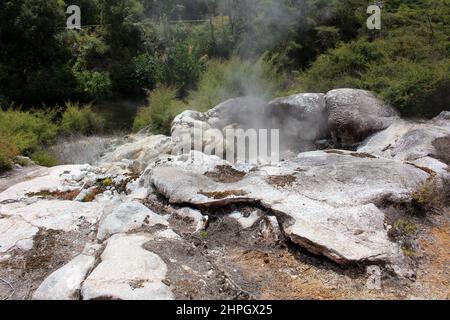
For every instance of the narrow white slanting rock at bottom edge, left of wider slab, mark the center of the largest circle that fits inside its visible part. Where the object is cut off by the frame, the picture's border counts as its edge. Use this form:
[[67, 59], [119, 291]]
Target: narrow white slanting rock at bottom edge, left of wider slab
[[65, 283]]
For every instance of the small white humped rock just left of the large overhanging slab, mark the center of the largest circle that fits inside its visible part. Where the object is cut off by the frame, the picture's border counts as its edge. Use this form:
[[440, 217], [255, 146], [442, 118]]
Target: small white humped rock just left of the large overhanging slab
[[126, 217]]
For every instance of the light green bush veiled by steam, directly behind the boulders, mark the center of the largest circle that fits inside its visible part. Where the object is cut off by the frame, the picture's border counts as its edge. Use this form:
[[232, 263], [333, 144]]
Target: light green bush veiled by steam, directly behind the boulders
[[234, 78]]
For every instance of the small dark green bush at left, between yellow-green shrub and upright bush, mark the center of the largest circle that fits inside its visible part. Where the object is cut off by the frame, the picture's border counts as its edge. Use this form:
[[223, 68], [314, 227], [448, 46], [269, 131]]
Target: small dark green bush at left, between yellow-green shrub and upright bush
[[81, 120]]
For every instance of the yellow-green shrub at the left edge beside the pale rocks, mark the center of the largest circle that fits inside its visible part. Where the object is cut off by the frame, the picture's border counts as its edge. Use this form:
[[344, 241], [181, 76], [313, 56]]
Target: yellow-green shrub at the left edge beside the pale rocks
[[27, 130]]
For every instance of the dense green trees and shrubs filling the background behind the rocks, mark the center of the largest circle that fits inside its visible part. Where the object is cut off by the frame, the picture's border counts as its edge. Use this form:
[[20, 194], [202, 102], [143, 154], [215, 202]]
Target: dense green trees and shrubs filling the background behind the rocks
[[226, 48]]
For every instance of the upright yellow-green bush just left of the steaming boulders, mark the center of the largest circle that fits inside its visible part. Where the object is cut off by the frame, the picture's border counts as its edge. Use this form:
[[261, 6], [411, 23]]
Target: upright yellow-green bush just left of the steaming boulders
[[163, 107]]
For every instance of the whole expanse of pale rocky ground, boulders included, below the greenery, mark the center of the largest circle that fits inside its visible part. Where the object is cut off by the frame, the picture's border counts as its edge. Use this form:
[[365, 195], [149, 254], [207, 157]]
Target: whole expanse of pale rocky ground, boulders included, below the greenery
[[356, 209]]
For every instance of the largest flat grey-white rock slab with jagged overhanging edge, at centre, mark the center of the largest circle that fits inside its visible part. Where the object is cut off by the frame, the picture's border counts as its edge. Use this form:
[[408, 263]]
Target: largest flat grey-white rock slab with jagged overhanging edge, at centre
[[326, 202]]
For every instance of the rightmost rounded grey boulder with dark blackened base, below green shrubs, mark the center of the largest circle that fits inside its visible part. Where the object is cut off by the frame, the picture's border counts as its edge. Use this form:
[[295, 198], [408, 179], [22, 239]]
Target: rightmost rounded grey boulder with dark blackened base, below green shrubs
[[353, 115]]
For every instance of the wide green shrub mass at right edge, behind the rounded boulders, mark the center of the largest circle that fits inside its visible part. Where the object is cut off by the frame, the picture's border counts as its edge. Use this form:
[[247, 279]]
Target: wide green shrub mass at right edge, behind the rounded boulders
[[413, 78]]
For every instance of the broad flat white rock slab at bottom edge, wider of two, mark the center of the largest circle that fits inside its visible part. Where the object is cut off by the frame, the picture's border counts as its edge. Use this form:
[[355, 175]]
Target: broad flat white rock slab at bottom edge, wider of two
[[127, 272]]
